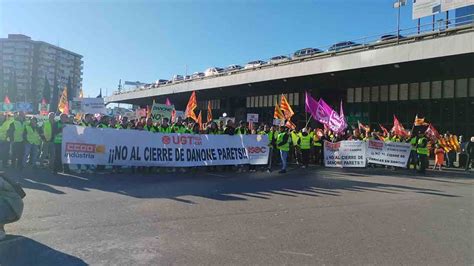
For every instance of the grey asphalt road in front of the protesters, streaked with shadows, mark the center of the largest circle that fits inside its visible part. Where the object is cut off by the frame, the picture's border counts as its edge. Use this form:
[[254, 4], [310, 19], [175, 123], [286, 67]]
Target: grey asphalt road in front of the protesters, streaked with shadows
[[313, 216]]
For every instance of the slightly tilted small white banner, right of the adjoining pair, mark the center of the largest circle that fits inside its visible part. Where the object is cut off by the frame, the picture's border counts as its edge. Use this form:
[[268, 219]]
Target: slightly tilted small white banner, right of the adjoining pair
[[388, 153]]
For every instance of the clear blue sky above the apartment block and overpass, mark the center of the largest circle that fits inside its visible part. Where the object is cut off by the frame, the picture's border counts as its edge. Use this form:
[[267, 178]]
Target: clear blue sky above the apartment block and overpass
[[147, 40]]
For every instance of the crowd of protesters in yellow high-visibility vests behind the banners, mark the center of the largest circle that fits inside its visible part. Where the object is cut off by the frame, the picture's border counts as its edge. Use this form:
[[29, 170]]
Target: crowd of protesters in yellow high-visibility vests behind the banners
[[26, 142]]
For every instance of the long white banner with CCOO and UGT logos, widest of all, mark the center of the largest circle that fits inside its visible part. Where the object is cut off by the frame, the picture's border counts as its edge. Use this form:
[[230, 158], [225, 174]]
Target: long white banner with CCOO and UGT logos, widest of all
[[96, 146]]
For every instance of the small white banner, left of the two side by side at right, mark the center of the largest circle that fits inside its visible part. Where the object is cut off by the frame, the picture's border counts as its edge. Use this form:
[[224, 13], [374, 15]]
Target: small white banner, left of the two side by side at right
[[346, 153]]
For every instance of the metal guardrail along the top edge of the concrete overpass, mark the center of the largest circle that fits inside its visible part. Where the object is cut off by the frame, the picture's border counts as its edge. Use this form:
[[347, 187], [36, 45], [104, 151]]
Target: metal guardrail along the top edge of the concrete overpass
[[407, 35]]
